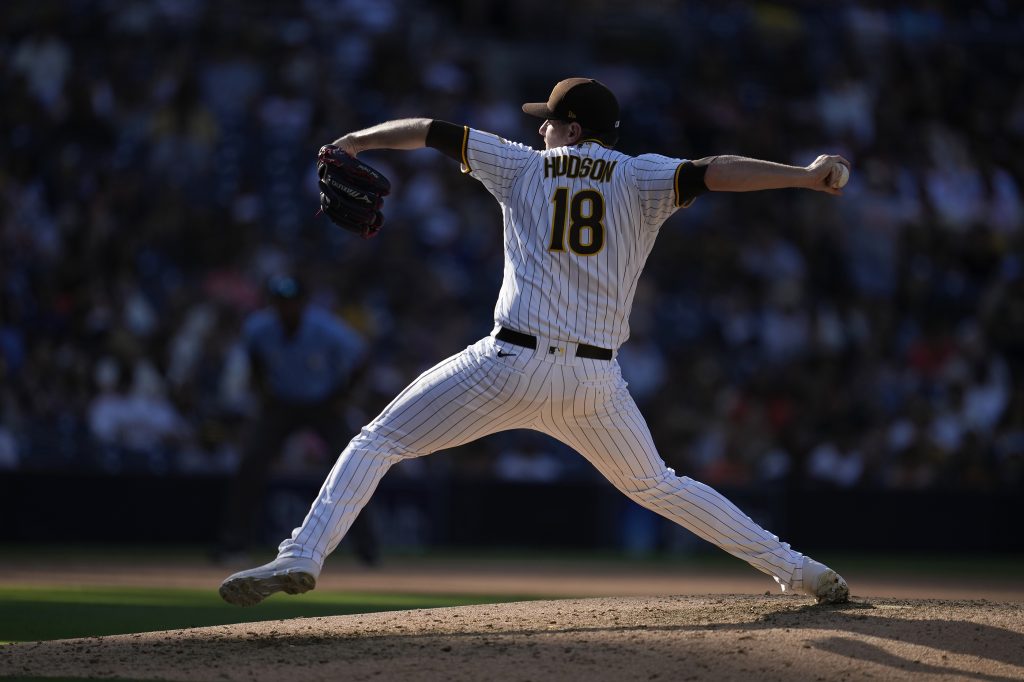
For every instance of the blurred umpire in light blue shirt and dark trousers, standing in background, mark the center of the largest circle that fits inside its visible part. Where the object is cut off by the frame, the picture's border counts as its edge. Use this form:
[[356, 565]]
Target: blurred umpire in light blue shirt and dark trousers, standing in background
[[304, 360]]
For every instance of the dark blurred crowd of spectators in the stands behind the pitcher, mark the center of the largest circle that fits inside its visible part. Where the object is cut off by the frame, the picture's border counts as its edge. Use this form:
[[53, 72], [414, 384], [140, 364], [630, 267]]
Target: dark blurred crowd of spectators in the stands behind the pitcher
[[159, 165]]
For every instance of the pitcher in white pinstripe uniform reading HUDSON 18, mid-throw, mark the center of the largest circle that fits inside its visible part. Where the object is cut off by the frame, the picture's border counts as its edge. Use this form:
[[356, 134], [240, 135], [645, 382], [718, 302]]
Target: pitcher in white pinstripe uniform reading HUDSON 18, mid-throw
[[580, 221]]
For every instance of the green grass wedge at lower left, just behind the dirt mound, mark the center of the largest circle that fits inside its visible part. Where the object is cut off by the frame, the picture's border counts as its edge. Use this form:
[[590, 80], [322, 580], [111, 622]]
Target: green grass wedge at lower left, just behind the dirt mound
[[32, 614]]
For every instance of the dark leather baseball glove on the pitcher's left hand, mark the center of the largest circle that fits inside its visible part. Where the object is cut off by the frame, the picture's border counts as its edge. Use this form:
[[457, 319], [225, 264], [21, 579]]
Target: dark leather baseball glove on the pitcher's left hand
[[352, 192]]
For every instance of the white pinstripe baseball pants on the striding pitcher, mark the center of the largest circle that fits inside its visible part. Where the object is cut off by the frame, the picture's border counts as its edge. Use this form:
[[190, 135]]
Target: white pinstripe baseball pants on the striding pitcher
[[583, 403]]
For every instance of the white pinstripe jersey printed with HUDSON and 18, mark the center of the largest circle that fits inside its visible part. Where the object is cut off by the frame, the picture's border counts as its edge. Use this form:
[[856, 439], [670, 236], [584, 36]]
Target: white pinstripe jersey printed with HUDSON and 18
[[580, 223]]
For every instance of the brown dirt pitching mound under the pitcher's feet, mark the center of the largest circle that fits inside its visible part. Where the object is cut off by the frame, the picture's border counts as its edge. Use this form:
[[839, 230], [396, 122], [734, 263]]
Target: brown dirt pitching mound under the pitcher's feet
[[635, 638]]
